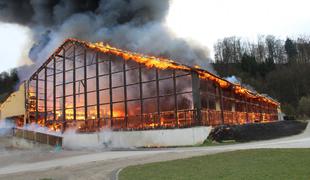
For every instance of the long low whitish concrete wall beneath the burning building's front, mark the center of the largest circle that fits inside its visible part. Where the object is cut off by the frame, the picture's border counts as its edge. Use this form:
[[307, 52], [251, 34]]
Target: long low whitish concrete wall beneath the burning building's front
[[127, 139]]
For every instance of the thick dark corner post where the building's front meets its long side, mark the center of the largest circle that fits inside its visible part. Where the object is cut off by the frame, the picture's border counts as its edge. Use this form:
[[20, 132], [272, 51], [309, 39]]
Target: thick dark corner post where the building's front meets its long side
[[196, 96]]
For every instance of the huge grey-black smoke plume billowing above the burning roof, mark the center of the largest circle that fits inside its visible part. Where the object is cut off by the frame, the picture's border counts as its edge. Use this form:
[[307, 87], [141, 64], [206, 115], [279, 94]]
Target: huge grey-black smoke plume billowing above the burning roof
[[137, 25]]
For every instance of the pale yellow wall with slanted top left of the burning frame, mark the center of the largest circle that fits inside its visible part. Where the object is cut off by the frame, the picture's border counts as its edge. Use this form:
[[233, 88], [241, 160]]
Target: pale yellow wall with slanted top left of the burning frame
[[14, 104]]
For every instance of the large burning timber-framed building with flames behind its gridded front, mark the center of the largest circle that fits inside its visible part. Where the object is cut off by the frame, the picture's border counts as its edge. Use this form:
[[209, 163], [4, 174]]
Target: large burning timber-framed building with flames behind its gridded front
[[90, 86]]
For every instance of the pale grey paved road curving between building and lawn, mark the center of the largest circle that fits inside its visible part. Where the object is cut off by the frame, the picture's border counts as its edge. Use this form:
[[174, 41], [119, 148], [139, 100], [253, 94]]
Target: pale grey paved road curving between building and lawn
[[102, 165]]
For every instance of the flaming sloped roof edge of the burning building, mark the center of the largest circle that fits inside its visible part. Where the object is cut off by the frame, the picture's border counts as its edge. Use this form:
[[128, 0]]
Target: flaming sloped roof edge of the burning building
[[164, 63]]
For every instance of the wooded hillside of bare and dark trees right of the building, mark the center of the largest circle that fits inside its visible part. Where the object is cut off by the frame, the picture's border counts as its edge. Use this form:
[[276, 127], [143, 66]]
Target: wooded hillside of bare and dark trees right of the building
[[277, 67]]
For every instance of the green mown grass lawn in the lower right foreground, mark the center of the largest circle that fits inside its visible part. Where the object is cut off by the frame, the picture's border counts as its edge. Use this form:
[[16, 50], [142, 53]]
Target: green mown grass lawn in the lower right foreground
[[247, 164]]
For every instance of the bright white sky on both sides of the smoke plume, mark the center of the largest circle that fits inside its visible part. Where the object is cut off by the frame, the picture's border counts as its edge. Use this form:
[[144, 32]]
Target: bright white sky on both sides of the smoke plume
[[203, 21]]
